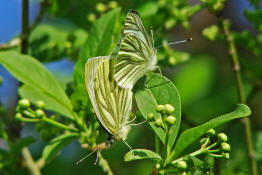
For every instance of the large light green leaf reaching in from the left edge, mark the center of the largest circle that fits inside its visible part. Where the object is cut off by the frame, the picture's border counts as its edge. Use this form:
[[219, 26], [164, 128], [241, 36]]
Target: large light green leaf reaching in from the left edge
[[32, 73]]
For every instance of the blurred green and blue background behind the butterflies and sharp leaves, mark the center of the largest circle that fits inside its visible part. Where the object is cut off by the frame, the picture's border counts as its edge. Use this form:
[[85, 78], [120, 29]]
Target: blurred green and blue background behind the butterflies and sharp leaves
[[201, 70]]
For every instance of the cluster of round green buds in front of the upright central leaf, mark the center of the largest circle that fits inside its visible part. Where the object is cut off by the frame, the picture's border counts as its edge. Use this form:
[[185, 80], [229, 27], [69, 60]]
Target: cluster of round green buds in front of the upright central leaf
[[166, 118]]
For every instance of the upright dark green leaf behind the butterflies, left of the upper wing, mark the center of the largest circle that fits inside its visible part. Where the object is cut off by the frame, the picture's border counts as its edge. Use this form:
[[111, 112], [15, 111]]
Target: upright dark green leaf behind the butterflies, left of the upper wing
[[98, 42]]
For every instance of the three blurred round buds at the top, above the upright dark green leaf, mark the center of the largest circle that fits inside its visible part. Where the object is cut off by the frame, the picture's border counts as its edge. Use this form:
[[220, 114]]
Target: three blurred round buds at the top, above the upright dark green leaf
[[101, 8]]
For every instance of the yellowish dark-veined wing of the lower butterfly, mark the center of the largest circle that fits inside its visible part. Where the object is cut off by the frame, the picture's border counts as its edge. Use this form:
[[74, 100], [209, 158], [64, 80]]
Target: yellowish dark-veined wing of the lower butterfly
[[112, 104]]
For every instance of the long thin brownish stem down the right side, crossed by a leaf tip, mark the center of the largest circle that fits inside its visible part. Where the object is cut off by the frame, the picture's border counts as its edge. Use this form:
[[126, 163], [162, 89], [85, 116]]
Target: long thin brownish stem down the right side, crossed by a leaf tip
[[246, 121]]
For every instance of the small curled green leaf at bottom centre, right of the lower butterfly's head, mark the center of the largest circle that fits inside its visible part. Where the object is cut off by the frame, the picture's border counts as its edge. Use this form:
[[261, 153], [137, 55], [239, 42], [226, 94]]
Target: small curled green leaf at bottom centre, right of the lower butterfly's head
[[138, 154]]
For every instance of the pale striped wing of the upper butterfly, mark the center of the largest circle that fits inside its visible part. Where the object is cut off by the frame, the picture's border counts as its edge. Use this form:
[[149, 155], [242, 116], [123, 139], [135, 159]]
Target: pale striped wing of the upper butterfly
[[136, 55]]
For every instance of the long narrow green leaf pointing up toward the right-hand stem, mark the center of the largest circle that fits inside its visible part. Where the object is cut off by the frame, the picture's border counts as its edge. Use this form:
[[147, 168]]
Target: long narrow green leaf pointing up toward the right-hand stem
[[192, 134]]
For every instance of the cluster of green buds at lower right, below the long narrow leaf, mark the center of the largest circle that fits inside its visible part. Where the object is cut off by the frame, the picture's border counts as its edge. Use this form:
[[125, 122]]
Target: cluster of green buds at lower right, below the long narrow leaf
[[219, 148]]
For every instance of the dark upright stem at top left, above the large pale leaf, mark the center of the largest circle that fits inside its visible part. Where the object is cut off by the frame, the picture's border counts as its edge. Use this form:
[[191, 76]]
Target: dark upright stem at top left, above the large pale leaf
[[25, 26]]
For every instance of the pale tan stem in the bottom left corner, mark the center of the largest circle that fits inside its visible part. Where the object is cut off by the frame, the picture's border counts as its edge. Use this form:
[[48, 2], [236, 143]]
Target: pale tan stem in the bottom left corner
[[30, 164]]
